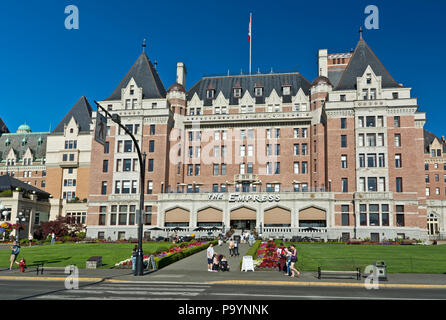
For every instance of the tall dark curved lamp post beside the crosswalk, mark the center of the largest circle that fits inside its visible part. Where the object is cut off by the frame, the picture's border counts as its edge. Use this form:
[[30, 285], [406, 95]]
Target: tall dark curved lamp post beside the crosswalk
[[139, 270]]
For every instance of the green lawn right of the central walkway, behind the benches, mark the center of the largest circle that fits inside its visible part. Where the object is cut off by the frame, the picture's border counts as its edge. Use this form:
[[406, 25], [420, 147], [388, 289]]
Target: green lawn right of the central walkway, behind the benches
[[398, 258]]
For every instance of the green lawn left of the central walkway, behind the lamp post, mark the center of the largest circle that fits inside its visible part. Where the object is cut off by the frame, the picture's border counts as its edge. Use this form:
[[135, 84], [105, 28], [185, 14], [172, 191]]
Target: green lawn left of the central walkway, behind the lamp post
[[61, 255]]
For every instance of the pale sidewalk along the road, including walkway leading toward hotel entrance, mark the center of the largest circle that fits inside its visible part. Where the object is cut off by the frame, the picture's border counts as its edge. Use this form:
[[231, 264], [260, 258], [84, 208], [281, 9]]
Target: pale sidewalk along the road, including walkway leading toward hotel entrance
[[193, 269]]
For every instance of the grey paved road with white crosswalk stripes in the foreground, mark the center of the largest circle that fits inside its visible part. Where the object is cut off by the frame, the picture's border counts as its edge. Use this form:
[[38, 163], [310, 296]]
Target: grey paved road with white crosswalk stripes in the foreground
[[137, 290]]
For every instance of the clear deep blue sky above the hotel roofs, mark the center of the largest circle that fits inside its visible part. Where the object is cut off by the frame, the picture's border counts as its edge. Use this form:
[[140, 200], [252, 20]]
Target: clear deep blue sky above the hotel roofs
[[46, 68]]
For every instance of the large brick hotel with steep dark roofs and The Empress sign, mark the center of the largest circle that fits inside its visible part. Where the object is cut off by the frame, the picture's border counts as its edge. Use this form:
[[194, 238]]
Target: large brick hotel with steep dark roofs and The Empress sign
[[274, 152]]
